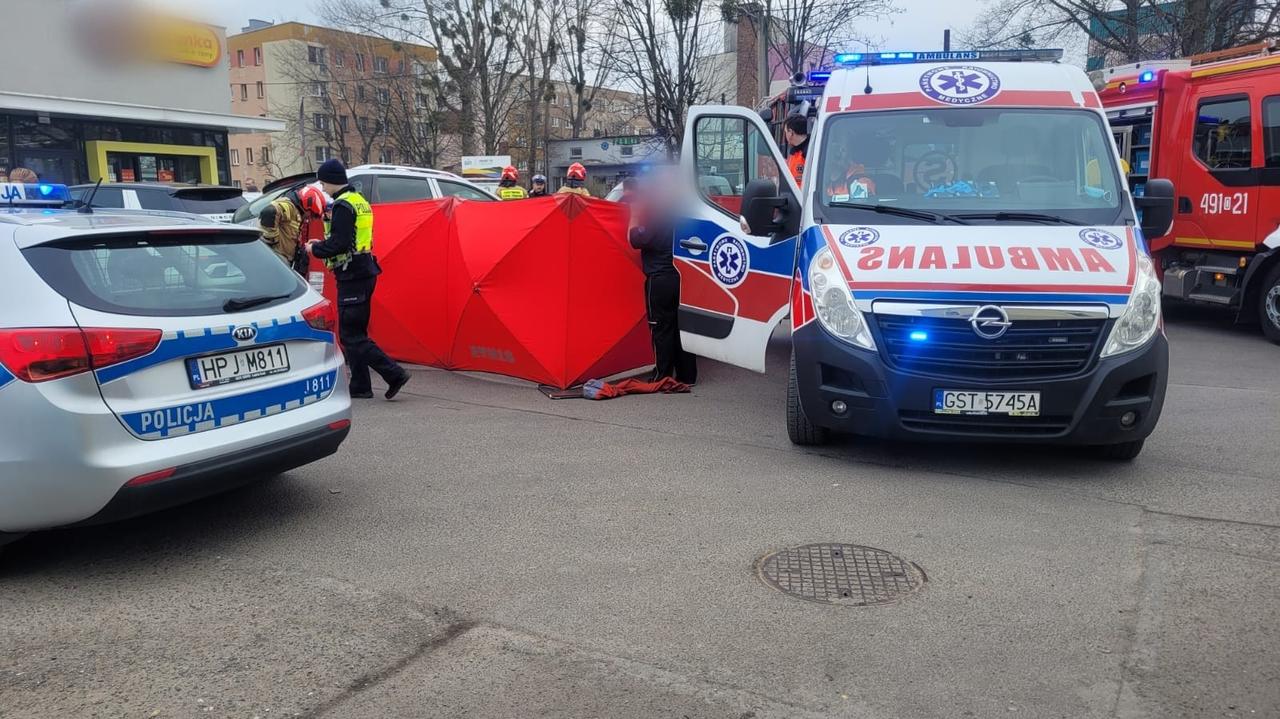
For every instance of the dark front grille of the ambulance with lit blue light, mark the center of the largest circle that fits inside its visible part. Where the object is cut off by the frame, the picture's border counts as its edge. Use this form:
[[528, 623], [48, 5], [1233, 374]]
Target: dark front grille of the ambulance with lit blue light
[[948, 347]]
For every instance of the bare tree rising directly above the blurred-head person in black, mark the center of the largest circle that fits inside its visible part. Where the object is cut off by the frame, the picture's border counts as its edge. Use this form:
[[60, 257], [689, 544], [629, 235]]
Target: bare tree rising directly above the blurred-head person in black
[[660, 47]]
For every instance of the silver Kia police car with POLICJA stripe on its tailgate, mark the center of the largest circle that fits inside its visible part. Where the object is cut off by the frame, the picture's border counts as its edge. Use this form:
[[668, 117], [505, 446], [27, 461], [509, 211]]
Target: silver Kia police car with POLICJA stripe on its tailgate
[[150, 359]]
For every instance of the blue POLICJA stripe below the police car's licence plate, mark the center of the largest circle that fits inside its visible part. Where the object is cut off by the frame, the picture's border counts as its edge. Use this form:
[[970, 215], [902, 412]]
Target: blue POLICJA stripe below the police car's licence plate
[[226, 411]]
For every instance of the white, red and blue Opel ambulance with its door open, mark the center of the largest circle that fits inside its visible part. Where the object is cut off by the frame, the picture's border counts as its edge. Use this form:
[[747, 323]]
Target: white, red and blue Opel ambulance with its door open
[[962, 259]]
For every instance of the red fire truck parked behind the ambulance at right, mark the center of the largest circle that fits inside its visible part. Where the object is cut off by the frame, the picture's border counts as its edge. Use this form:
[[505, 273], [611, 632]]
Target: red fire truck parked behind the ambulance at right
[[1212, 125]]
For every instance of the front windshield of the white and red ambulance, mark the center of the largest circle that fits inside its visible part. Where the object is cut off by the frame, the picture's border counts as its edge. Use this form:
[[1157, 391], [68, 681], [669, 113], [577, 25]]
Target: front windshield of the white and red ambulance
[[971, 162]]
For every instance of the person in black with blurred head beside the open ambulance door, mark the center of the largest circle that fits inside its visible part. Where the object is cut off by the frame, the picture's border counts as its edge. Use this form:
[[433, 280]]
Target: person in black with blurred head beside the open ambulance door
[[652, 232]]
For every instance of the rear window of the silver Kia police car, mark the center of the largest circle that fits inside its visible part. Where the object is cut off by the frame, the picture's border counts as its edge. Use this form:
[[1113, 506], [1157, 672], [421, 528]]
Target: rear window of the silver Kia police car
[[164, 274]]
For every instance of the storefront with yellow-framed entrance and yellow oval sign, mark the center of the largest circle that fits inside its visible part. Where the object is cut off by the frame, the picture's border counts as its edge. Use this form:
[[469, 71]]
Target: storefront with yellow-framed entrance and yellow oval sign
[[93, 116]]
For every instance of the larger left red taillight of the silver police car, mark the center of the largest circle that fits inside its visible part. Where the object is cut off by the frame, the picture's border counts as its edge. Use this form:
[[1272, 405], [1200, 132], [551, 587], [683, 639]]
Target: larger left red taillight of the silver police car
[[39, 355]]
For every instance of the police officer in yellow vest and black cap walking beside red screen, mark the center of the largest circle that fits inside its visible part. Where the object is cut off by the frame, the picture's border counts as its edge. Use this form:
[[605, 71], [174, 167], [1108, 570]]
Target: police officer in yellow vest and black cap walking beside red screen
[[349, 253]]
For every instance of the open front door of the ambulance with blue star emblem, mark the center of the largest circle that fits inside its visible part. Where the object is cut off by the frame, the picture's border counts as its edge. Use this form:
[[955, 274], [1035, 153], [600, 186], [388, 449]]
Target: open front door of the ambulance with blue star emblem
[[734, 287]]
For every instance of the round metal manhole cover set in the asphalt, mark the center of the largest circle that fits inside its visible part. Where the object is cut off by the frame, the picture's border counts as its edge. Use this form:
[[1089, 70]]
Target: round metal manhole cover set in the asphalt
[[842, 574]]
